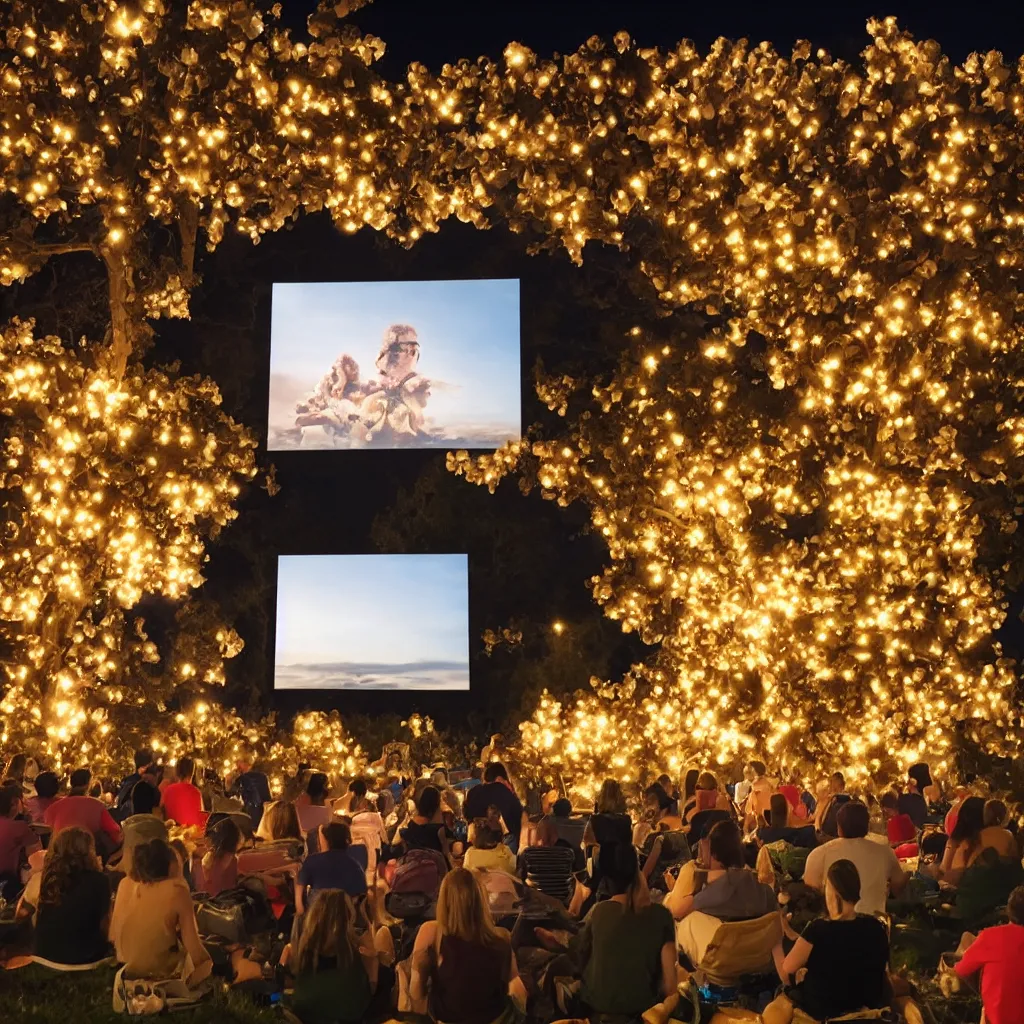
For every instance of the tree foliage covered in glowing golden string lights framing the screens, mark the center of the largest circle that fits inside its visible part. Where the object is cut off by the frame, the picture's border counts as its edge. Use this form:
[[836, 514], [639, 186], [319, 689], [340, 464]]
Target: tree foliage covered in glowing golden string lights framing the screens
[[816, 537]]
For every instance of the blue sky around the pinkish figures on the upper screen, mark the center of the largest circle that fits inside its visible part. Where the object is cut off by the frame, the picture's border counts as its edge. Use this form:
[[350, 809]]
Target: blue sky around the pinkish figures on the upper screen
[[468, 331]]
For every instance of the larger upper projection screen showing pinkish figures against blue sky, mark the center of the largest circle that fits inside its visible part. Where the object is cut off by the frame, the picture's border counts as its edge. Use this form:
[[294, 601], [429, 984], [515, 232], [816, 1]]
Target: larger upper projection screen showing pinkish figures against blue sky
[[390, 365]]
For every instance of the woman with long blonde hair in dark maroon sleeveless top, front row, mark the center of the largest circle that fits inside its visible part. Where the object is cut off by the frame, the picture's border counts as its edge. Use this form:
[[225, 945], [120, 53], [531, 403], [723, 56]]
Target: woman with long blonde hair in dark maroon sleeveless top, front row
[[464, 966]]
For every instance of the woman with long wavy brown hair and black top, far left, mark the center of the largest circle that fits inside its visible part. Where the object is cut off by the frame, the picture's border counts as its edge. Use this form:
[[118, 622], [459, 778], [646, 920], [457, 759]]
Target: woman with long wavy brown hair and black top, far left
[[74, 902]]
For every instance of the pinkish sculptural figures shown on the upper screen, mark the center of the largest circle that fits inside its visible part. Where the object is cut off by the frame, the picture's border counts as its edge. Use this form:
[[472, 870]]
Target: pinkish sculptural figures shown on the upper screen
[[388, 410]]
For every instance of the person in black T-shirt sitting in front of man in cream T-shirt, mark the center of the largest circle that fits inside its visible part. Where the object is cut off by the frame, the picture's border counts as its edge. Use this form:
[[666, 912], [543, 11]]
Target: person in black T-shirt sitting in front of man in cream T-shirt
[[846, 956]]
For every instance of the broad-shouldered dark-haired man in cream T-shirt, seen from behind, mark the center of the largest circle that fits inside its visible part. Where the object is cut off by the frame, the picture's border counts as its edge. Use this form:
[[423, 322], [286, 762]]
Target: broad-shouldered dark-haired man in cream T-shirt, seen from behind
[[877, 865]]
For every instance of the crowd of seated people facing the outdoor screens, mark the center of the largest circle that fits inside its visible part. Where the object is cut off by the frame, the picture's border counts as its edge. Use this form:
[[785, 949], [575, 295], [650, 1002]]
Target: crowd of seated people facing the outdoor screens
[[624, 907]]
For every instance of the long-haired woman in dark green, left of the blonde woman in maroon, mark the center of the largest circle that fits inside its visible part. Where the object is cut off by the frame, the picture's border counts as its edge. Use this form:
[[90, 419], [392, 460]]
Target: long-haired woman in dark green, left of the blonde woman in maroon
[[337, 971]]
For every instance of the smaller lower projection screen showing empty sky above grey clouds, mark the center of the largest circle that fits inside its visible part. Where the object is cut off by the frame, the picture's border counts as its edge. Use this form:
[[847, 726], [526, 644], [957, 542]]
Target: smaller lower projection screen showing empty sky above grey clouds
[[372, 623]]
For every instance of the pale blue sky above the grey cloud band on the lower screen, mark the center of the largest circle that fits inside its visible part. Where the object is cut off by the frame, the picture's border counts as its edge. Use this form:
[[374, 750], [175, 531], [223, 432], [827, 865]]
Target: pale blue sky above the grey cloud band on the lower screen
[[372, 609]]
